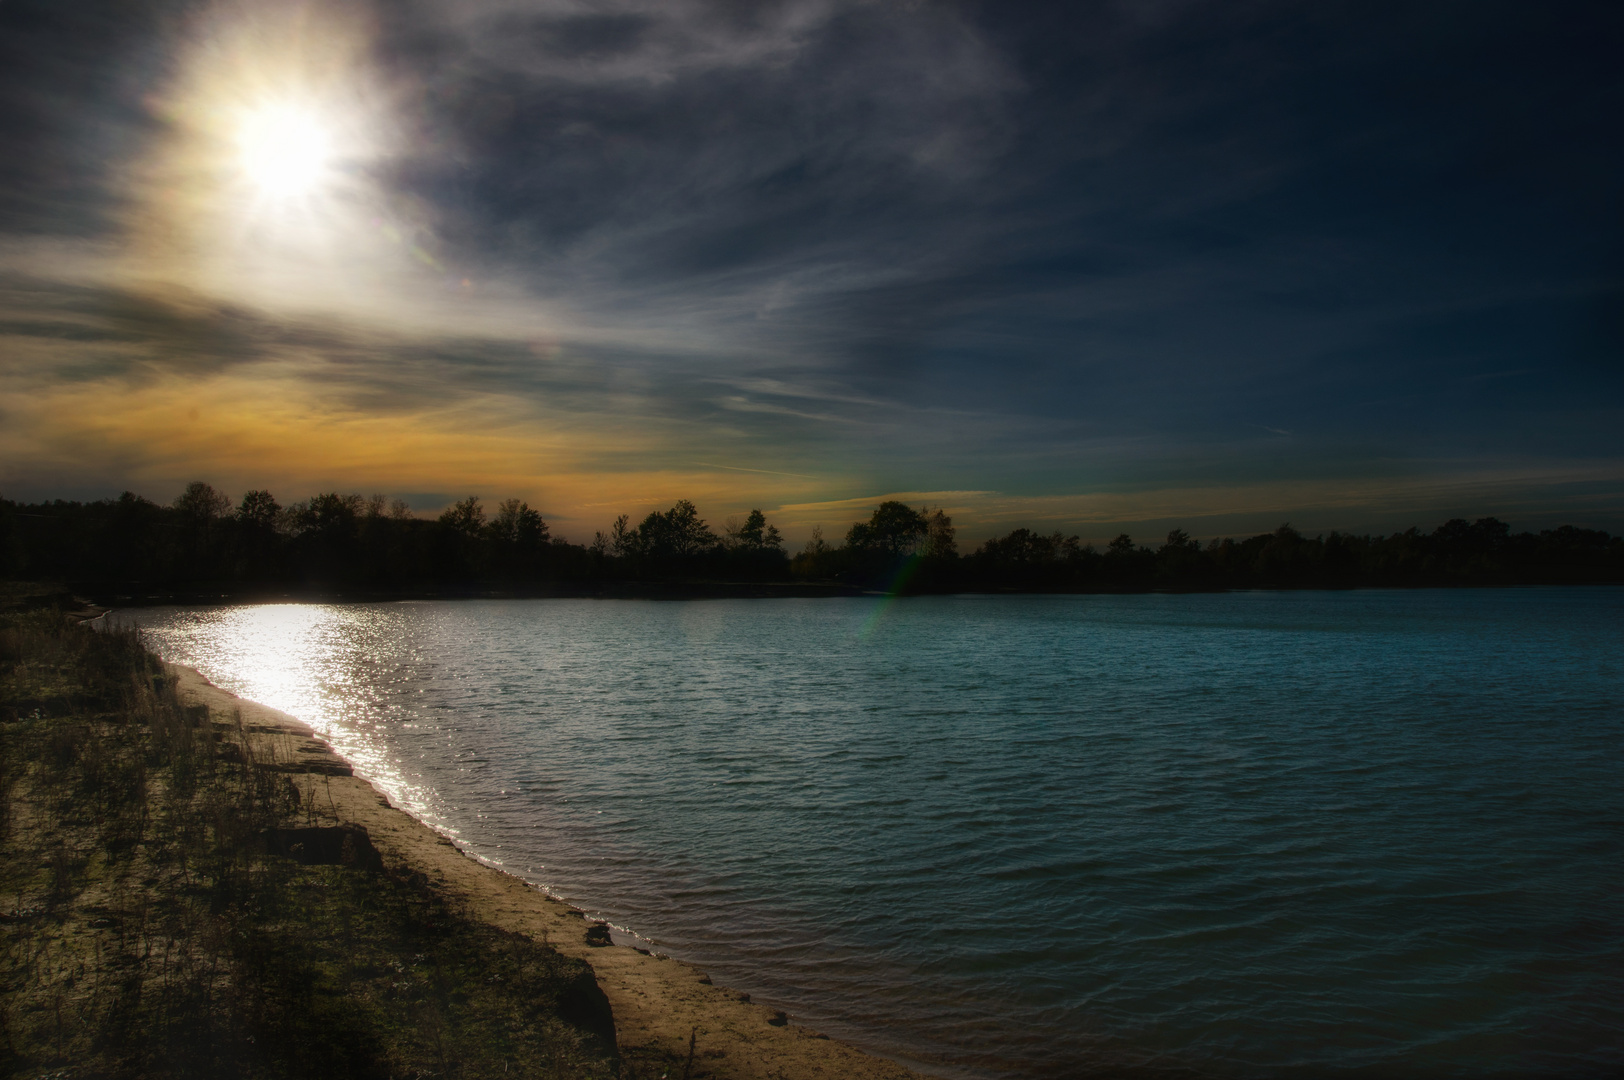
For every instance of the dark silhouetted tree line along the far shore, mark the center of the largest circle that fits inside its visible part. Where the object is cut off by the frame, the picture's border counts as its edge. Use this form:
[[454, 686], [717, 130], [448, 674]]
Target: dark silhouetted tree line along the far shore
[[347, 543]]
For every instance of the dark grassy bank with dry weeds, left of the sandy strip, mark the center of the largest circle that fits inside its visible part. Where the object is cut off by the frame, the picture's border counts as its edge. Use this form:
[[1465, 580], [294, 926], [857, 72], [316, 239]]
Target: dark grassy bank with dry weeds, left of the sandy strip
[[179, 901]]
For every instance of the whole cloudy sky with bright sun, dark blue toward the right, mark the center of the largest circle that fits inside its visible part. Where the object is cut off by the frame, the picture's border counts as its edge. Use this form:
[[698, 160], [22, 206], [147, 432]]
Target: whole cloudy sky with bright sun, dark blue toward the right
[[1115, 266]]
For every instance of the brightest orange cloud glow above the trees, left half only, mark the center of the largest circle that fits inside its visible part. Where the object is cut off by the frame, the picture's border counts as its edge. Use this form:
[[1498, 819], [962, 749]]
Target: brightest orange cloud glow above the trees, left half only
[[241, 433]]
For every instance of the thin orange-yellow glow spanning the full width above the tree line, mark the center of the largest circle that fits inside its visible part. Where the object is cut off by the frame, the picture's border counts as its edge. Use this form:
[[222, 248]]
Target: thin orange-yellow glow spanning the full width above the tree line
[[274, 430]]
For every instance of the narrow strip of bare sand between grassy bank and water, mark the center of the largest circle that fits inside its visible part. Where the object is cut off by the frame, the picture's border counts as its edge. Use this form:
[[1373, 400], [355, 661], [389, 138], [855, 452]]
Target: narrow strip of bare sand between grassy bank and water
[[659, 1003]]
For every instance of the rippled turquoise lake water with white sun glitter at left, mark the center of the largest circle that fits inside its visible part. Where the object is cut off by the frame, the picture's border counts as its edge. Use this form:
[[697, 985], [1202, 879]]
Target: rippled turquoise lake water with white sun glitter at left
[[1266, 834]]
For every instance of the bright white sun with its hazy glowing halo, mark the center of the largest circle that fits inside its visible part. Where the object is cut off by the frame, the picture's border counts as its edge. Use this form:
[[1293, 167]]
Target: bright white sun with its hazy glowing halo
[[266, 181]]
